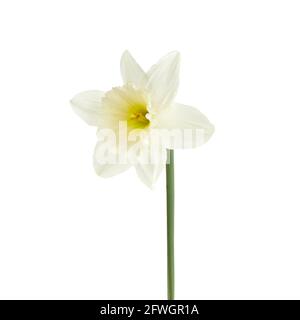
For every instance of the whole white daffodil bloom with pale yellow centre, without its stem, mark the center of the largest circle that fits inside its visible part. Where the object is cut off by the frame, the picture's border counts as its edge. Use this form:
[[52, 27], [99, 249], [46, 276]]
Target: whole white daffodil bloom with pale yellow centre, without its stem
[[139, 120]]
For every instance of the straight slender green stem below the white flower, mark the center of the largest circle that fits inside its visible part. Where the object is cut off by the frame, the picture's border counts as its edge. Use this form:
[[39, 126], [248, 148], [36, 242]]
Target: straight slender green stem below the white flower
[[170, 223]]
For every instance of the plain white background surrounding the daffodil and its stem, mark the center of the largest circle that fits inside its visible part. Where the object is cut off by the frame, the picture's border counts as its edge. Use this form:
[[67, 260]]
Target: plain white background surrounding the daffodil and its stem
[[65, 233]]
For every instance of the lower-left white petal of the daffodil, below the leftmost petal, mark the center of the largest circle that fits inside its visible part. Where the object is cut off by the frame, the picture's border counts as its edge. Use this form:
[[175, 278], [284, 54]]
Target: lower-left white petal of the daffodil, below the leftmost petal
[[107, 161]]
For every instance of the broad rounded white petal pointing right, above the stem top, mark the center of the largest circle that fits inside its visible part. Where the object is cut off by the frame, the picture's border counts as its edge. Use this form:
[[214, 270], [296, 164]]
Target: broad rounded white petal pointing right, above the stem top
[[188, 127]]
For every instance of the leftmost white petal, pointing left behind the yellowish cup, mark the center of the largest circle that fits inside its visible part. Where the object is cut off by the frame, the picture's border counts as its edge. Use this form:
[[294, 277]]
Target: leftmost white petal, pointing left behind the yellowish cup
[[87, 105]]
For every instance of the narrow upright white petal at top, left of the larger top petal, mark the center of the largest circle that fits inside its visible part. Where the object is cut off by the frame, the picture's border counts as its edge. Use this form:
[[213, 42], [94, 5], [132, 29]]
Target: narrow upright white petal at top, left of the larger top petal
[[132, 72]]
